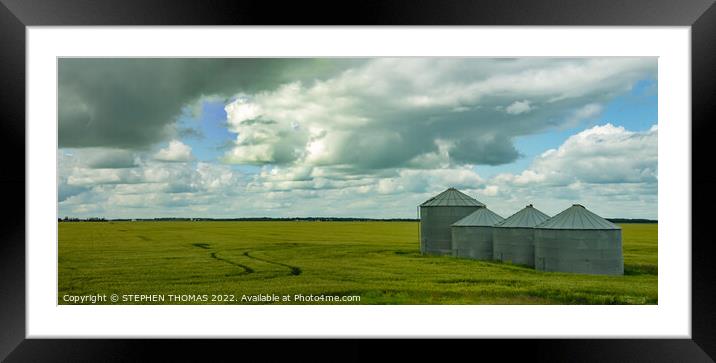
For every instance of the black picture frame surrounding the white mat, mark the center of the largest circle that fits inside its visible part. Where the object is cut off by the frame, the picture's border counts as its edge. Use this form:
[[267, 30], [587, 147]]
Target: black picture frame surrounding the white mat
[[16, 15]]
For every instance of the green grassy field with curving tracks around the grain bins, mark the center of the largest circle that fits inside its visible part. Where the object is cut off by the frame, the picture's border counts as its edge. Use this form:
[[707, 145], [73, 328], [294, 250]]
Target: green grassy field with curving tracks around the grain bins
[[378, 261]]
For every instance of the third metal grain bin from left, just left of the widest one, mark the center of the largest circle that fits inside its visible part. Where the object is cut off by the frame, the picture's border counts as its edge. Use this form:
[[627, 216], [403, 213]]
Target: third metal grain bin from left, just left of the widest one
[[513, 238]]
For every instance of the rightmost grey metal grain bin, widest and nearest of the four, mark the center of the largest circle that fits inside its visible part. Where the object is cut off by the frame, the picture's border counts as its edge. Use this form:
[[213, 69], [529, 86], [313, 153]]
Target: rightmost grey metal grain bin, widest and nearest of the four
[[577, 240]]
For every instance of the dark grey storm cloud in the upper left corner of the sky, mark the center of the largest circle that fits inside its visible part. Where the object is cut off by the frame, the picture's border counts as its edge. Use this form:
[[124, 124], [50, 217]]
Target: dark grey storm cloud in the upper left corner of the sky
[[133, 103]]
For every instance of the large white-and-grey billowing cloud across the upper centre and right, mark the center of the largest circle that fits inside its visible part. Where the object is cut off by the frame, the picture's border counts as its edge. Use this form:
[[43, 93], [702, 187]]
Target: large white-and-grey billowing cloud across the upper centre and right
[[394, 113]]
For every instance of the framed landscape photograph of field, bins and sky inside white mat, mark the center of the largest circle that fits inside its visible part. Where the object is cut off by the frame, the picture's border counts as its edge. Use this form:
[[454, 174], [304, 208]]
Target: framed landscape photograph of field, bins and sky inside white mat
[[432, 180]]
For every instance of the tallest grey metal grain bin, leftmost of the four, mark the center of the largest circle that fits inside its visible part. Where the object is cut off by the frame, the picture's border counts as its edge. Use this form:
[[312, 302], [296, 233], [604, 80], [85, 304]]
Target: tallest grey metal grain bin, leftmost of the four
[[437, 214]]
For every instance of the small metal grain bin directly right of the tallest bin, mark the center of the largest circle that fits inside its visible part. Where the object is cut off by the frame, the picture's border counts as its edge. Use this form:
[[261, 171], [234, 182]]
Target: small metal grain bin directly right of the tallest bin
[[472, 235]]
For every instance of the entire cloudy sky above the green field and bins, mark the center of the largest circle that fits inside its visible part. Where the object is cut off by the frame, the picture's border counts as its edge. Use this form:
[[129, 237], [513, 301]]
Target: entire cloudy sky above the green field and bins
[[354, 137]]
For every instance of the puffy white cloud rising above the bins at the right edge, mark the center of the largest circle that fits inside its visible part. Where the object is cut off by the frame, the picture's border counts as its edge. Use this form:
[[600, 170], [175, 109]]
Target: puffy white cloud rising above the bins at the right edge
[[612, 170]]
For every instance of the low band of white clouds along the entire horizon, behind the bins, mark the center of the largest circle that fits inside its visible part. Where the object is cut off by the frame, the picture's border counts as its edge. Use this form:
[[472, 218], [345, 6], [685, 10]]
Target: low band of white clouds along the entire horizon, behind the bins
[[608, 168]]
